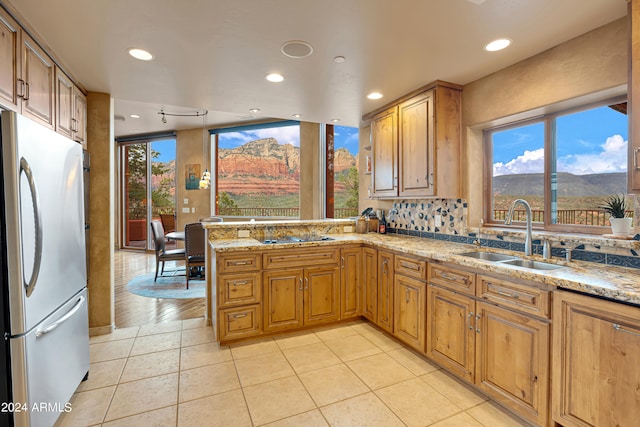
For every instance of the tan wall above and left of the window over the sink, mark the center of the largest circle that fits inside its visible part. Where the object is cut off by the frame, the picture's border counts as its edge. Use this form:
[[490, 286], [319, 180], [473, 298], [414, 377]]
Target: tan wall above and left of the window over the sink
[[593, 62]]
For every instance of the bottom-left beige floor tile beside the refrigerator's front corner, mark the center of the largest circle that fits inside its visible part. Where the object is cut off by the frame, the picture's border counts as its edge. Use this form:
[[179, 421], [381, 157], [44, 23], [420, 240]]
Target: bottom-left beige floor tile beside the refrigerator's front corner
[[87, 408]]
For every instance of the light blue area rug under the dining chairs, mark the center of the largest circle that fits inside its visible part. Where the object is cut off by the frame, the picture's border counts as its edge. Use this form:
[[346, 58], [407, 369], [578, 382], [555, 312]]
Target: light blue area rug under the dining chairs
[[173, 284]]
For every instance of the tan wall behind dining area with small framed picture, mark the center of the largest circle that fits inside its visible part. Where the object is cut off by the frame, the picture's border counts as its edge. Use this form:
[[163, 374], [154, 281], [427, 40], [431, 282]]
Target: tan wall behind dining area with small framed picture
[[189, 150]]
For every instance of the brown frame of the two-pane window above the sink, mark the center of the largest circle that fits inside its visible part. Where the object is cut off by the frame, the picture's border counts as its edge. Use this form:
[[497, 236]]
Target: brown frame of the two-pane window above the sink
[[548, 120]]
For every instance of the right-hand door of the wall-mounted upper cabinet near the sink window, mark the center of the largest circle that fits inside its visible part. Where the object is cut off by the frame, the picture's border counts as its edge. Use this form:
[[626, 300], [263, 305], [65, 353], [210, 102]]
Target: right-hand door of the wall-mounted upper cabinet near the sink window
[[416, 148]]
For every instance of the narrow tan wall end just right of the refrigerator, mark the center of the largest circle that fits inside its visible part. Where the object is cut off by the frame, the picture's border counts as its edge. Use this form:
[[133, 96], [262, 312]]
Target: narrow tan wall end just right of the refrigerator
[[101, 207]]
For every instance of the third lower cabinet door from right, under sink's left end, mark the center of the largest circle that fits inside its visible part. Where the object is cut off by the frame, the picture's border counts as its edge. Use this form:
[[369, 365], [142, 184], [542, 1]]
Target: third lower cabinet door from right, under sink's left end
[[450, 331]]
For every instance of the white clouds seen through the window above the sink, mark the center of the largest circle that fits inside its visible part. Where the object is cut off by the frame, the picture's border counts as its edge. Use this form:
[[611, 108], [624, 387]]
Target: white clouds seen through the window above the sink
[[612, 158]]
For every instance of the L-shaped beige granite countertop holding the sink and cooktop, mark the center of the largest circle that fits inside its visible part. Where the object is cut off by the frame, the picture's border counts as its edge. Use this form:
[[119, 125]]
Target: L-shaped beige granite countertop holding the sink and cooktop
[[616, 283]]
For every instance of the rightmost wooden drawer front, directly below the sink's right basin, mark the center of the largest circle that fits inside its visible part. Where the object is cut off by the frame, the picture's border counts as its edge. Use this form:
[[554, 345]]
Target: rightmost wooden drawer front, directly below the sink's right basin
[[527, 298]]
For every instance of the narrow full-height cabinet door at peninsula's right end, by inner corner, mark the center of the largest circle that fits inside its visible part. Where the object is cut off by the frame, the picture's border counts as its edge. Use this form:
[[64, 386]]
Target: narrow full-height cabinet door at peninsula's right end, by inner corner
[[350, 278]]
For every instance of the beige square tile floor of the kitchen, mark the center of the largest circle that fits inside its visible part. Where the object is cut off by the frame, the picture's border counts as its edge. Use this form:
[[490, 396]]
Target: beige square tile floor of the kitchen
[[174, 374]]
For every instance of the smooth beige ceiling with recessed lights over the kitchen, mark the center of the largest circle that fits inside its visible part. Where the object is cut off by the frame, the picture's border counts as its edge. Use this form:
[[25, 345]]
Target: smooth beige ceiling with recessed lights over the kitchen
[[215, 54]]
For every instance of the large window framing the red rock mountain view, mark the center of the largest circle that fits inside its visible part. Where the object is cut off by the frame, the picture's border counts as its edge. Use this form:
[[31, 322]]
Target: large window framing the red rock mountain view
[[258, 170]]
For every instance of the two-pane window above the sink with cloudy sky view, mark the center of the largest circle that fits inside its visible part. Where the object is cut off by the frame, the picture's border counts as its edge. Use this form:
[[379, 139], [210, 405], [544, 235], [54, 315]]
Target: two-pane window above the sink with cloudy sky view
[[564, 165]]
